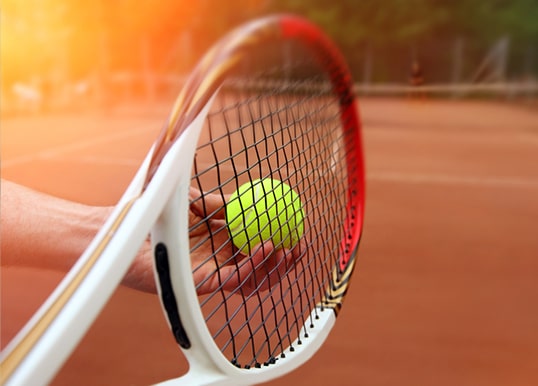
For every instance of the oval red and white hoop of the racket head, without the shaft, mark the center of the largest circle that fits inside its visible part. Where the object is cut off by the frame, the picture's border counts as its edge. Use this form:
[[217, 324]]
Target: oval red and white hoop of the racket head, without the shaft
[[208, 366]]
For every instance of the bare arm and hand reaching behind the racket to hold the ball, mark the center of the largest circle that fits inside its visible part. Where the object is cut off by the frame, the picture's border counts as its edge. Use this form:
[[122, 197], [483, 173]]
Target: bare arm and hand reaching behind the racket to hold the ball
[[42, 231]]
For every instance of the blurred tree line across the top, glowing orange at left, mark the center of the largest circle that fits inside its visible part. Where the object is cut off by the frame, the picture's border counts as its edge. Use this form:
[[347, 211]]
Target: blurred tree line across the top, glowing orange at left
[[382, 36]]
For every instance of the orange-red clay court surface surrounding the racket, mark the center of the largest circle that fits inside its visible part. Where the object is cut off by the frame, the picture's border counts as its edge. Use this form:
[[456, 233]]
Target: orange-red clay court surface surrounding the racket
[[445, 292]]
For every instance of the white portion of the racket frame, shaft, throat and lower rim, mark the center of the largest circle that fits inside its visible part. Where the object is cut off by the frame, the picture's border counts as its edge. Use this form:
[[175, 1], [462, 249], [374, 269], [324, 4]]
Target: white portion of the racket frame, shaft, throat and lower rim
[[35, 355]]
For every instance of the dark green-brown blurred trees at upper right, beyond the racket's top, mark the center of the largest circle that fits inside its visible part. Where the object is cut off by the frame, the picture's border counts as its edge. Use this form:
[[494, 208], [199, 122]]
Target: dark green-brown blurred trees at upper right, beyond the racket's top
[[395, 31]]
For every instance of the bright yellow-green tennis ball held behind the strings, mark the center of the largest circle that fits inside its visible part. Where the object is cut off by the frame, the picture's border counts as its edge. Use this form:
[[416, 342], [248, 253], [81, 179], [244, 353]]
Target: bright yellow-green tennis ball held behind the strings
[[262, 210]]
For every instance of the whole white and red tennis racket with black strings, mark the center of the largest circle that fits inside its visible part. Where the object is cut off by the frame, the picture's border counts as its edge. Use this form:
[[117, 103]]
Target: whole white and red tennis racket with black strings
[[272, 99]]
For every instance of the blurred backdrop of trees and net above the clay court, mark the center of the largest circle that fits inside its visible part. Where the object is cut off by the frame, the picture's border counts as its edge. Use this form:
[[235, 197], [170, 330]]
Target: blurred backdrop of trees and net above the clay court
[[56, 53]]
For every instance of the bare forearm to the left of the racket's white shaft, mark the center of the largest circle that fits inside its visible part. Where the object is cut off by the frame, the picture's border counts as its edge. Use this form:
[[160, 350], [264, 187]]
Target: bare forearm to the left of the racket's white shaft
[[42, 231]]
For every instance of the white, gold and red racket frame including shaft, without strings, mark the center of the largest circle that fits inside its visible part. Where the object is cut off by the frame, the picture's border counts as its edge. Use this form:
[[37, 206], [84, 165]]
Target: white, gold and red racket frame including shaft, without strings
[[158, 195]]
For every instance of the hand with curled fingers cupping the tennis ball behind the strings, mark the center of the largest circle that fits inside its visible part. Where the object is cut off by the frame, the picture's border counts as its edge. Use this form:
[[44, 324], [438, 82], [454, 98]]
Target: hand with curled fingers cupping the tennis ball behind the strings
[[226, 269]]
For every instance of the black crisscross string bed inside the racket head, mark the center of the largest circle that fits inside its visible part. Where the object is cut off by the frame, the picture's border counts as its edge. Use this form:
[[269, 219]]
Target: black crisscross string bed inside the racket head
[[290, 131]]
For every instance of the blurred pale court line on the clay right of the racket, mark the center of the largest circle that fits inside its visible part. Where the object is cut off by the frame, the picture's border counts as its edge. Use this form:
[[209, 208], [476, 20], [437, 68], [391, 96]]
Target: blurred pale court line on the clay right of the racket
[[443, 179]]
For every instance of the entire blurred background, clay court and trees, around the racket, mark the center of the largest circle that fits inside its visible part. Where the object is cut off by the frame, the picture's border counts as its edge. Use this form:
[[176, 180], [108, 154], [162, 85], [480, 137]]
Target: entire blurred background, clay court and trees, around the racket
[[445, 291]]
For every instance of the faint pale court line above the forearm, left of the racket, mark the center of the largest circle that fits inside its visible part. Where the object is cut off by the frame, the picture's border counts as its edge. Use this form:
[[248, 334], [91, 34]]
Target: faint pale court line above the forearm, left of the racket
[[58, 151]]
